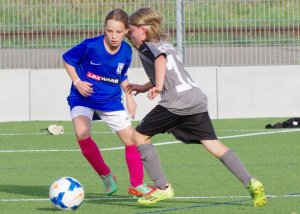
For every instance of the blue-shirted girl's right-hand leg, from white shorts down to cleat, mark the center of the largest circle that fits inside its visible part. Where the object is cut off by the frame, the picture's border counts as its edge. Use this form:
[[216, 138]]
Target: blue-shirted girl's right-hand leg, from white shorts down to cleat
[[120, 122]]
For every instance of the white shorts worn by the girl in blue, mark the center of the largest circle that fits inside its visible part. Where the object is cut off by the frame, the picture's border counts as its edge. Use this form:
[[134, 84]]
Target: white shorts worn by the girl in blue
[[116, 120]]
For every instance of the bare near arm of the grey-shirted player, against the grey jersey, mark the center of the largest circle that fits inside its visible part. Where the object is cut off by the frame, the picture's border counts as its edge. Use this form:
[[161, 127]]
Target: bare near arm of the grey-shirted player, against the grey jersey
[[160, 65]]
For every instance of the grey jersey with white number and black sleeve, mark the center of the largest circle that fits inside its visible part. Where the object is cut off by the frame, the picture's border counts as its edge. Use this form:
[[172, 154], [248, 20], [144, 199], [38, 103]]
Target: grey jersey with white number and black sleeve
[[180, 95]]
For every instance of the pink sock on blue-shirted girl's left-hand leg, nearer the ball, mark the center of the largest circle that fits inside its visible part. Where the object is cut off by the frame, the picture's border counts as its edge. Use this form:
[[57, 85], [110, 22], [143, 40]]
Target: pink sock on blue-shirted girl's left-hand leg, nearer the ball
[[92, 153]]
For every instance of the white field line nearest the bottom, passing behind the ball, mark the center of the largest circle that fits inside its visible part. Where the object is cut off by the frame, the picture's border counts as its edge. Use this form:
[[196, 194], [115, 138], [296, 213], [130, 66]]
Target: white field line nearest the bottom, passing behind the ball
[[177, 198]]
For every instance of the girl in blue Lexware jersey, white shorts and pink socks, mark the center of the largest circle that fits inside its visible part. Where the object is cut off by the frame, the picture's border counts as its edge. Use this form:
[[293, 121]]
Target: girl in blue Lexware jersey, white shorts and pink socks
[[98, 69]]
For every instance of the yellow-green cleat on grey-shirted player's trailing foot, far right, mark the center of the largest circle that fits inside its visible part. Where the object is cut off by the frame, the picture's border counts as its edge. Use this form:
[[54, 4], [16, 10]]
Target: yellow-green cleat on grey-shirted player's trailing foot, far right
[[257, 192]]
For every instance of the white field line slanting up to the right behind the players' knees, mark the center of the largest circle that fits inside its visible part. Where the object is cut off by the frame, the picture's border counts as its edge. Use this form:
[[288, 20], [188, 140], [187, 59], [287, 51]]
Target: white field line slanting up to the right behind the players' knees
[[156, 144]]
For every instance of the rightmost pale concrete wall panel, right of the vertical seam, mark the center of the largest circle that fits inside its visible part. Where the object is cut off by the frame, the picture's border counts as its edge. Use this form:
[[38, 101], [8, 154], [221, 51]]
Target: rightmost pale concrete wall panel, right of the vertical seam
[[258, 92]]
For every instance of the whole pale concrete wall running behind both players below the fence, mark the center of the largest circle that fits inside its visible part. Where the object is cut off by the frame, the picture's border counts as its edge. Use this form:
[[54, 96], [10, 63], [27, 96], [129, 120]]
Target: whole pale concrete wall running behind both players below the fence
[[233, 92]]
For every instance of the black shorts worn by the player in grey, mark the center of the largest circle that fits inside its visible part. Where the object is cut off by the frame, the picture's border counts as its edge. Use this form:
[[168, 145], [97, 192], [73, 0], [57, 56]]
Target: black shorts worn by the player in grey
[[186, 128]]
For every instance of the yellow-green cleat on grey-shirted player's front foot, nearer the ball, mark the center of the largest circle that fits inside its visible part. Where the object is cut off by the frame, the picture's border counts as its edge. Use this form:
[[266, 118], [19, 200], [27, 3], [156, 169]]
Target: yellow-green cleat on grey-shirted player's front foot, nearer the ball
[[157, 195]]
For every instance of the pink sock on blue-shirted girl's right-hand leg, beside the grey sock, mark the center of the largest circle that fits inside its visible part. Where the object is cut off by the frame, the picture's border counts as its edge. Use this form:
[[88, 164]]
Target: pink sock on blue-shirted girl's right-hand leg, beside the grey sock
[[135, 165]]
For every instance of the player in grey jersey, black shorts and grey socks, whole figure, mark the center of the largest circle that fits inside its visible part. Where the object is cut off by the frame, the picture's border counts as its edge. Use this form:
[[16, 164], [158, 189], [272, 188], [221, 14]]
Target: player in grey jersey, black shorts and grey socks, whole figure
[[181, 111]]
